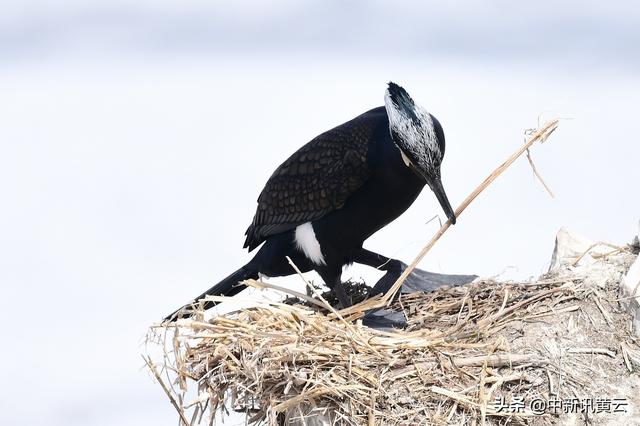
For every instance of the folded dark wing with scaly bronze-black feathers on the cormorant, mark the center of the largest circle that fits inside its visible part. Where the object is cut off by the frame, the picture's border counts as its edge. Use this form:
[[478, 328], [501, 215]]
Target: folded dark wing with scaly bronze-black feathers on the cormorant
[[316, 180]]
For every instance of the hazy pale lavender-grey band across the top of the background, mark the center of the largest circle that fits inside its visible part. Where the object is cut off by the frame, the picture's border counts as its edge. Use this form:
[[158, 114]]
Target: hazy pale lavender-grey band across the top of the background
[[592, 33]]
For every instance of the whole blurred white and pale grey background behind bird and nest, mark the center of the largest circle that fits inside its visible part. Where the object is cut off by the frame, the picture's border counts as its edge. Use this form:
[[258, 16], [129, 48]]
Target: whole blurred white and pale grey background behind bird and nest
[[135, 137]]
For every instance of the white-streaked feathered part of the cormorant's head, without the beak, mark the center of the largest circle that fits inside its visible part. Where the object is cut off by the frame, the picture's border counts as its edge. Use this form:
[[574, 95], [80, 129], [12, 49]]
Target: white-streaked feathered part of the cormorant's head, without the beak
[[412, 130]]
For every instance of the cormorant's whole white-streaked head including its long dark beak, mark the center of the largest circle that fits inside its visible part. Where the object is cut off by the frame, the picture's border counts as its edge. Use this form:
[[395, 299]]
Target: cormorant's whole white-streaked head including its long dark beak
[[420, 139]]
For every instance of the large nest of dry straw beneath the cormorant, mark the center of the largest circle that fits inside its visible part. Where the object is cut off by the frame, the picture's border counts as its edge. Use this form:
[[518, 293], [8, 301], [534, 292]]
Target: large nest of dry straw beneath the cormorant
[[464, 349]]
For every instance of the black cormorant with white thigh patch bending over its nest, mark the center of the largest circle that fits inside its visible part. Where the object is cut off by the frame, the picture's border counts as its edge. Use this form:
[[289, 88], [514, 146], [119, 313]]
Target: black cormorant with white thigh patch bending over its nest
[[336, 191]]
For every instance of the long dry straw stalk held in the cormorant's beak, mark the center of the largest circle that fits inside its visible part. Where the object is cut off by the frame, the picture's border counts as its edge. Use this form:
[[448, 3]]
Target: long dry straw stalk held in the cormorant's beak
[[540, 135]]
